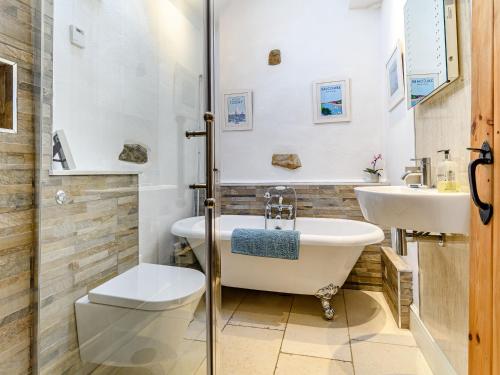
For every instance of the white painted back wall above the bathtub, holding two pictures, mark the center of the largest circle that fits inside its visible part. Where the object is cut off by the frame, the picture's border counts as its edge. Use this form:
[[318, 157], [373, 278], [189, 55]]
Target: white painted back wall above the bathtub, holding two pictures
[[318, 39]]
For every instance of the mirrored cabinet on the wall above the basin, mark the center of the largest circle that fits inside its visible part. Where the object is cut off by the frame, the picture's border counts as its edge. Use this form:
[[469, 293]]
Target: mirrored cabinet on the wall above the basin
[[431, 51]]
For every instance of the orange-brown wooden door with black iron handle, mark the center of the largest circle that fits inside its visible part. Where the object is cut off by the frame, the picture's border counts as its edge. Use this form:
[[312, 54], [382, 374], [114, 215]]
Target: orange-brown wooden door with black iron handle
[[484, 302]]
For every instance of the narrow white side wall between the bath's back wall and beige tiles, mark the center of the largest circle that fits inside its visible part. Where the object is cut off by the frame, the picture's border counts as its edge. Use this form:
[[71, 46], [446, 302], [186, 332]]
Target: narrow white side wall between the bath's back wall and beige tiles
[[399, 131]]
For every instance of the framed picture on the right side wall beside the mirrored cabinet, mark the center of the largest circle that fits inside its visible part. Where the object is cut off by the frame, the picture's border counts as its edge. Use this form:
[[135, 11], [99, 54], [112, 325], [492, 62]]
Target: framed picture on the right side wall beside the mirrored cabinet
[[395, 78]]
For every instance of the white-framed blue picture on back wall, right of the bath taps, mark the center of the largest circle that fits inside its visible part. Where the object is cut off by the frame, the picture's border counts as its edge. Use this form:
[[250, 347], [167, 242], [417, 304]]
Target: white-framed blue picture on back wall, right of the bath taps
[[332, 101]]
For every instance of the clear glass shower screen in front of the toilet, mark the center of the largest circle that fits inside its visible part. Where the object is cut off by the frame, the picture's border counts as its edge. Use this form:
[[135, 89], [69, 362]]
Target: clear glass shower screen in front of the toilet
[[118, 292]]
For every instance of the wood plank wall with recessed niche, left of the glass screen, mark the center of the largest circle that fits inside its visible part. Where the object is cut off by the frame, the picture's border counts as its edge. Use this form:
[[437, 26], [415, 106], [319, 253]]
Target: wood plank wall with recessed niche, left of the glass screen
[[16, 196]]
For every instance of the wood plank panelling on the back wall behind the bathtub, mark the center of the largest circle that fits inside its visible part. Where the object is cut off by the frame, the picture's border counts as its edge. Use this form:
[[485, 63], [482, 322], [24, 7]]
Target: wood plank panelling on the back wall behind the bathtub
[[328, 201]]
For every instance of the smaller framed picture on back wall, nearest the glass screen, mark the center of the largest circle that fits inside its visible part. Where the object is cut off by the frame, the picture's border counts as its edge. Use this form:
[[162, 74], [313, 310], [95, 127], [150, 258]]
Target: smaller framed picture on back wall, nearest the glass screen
[[237, 110]]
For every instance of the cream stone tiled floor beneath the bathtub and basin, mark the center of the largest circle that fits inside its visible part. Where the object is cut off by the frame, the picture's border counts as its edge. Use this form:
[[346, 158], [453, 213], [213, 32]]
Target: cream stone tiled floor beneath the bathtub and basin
[[269, 333]]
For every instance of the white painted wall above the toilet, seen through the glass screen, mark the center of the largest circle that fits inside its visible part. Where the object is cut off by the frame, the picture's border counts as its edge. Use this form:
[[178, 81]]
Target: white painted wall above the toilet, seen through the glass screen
[[134, 82]]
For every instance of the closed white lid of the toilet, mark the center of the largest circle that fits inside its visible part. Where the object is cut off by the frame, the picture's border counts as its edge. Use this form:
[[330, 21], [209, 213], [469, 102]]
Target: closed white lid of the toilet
[[151, 287]]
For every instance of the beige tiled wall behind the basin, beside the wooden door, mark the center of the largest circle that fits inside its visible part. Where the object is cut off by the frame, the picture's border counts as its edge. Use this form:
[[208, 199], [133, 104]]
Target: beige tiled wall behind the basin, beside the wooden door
[[443, 122]]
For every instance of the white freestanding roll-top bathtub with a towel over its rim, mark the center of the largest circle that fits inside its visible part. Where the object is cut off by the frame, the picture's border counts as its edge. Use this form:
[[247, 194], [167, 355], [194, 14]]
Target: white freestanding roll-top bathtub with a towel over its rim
[[329, 249]]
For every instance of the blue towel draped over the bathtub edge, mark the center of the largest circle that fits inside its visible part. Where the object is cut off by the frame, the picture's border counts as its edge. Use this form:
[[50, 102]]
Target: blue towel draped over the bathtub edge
[[283, 244]]
